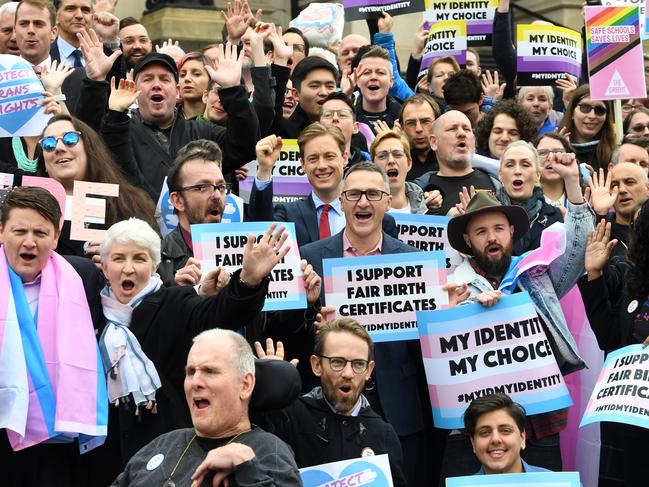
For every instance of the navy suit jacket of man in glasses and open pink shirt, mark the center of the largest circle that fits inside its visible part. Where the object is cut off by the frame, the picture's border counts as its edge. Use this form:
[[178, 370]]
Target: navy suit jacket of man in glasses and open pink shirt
[[399, 366]]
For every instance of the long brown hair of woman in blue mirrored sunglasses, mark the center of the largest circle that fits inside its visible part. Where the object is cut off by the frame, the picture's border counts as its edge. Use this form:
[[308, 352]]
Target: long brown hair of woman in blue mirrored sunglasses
[[132, 201]]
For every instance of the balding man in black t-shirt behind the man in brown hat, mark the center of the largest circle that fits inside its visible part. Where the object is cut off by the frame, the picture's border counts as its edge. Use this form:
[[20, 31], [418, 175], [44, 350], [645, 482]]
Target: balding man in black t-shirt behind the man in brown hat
[[454, 144]]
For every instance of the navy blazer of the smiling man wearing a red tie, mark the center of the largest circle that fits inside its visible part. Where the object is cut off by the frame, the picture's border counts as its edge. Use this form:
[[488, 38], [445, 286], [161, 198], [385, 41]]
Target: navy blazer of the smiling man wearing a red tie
[[301, 212]]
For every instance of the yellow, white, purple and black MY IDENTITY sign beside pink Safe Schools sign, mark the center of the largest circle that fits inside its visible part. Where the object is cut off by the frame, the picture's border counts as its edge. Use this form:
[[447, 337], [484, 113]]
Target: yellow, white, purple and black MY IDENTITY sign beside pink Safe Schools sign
[[545, 53]]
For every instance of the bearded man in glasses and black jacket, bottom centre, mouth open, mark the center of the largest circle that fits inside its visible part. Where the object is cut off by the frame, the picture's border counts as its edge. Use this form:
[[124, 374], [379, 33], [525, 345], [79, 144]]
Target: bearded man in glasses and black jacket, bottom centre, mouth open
[[335, 421]]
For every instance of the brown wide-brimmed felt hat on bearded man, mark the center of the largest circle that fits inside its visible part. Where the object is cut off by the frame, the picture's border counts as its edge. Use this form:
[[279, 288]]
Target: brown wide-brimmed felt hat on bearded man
[[484, 202]]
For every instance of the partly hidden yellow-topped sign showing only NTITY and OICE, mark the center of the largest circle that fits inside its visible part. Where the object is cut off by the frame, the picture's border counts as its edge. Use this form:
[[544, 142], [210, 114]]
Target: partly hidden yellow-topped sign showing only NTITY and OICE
[[446, 38]]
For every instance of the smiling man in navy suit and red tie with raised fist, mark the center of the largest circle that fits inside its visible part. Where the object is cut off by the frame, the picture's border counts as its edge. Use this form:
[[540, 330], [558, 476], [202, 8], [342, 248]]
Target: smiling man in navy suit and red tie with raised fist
[[323, 156]]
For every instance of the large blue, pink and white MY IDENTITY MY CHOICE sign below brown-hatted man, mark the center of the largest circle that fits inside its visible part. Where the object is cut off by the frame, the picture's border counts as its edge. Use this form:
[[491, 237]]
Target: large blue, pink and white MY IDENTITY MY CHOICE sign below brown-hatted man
[[470, 351]]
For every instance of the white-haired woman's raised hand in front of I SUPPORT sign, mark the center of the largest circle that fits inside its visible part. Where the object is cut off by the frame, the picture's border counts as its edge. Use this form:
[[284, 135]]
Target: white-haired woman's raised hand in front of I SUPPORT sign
[[260, 258]]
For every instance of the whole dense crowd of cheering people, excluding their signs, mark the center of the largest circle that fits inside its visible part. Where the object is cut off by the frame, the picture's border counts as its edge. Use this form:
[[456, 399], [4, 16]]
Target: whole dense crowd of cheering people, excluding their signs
[[179, 372]]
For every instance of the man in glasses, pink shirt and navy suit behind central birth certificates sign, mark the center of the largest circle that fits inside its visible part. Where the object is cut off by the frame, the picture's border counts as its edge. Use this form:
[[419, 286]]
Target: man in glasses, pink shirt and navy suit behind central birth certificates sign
[[400, 394]]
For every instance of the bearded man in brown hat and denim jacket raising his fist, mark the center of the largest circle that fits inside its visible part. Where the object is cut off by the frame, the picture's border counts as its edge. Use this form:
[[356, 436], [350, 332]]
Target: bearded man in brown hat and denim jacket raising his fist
[[485, 233]]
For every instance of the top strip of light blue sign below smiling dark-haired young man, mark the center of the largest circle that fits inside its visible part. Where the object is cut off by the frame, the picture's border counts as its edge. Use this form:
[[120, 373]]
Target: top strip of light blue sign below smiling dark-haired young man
[[539, 479]]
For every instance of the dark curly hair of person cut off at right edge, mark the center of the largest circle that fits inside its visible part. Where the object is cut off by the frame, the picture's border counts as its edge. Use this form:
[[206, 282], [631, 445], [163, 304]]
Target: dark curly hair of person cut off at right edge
[[638, 254]]
